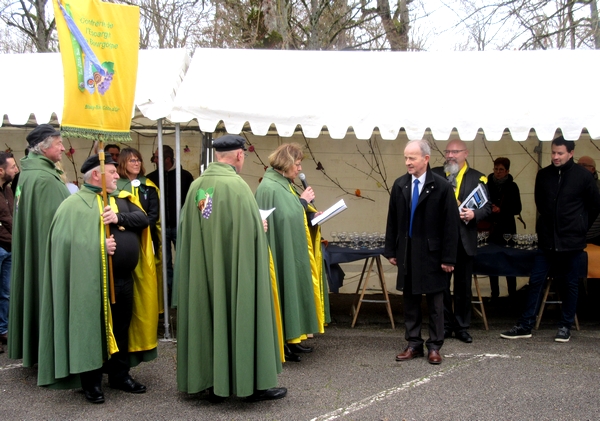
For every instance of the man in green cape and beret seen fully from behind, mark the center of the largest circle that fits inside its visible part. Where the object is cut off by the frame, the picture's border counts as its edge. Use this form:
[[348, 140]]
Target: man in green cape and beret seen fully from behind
[[228, 337]]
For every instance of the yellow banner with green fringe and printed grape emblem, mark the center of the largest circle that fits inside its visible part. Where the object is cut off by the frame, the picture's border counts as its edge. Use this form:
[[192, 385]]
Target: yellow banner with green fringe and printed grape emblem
[[99, 48]]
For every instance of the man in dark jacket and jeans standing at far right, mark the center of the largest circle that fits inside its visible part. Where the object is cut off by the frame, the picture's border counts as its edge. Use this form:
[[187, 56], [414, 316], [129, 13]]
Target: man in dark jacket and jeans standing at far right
[[567, 201]]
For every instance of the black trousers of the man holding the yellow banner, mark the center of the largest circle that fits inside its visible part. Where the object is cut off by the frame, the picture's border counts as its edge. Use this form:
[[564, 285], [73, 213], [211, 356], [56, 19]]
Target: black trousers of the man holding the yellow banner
[[117, 366]]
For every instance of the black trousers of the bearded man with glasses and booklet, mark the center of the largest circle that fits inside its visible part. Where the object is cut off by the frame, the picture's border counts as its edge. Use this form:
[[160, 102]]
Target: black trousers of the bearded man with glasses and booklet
[[457, 306]]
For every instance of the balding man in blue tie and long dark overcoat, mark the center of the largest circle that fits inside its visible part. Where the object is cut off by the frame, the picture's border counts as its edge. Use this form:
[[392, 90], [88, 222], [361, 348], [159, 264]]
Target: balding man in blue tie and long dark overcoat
[[421, 238]]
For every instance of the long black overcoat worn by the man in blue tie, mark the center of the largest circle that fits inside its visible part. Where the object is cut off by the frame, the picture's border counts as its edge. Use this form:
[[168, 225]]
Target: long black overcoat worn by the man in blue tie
[[435, 232]]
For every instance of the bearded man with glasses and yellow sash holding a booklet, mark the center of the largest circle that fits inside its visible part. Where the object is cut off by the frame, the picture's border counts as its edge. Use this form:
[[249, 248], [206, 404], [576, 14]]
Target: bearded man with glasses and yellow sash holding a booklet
[[457, 317]]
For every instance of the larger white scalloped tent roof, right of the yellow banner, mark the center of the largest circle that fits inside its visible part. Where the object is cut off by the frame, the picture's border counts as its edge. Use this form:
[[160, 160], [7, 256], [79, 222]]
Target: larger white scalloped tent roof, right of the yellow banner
[[492, 90]]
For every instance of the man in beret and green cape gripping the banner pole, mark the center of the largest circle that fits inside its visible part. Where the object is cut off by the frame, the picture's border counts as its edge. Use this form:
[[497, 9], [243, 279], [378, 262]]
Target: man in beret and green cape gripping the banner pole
[[82, 334]]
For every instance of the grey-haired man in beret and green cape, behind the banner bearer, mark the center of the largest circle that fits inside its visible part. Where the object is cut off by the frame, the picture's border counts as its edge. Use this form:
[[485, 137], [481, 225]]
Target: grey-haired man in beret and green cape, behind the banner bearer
[[39, 192]]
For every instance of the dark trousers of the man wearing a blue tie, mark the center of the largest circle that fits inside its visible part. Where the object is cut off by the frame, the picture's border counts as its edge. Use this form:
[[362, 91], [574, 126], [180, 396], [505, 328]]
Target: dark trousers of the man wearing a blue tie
[[413, 317]]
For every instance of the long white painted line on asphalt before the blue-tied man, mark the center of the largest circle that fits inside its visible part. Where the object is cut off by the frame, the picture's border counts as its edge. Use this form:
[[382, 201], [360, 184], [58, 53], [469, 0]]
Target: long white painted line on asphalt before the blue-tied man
[[365, 403]]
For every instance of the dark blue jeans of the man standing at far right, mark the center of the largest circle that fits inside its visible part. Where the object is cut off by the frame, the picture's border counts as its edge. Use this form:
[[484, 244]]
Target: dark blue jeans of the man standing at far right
[[563, 267]]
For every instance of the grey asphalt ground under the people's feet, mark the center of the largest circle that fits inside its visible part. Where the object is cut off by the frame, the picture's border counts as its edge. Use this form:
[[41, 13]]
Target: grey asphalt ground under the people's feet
[[352, 375]]
